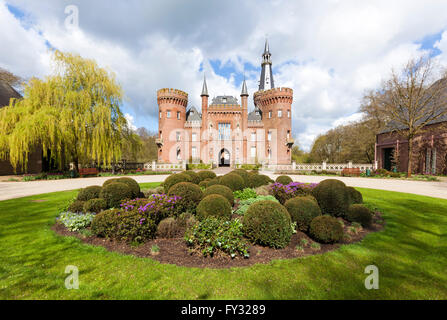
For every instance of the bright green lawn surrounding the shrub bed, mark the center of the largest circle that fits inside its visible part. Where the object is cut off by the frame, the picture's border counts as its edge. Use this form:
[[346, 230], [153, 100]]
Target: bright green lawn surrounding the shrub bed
[[411, 254]]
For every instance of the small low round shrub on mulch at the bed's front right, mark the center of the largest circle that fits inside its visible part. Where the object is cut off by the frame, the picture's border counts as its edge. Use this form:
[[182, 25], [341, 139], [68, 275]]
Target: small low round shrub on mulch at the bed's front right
[[326, 229]]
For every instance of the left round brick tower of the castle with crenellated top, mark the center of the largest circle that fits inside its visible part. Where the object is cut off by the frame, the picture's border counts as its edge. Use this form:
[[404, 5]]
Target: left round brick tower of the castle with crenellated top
[[171, 122]]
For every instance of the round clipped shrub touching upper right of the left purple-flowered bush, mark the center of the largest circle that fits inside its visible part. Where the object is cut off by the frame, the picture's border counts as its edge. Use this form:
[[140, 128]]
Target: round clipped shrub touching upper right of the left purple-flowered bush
[[190, 194]]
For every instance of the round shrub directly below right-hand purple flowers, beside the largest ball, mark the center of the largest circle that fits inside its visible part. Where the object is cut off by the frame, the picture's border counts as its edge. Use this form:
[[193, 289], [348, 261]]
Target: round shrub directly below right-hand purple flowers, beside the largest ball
[[302, 210]]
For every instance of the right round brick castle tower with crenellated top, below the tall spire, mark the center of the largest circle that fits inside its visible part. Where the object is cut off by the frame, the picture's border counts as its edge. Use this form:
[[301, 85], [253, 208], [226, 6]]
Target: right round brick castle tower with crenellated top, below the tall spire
[[276, 107]]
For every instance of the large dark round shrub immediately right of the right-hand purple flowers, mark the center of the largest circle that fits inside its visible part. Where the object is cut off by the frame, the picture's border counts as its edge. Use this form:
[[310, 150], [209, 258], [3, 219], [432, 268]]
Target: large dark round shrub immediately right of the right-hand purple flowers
[[333, 197]]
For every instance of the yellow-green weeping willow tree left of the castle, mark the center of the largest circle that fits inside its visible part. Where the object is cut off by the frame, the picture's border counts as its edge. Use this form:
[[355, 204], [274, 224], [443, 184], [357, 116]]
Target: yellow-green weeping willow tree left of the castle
[[73, 114]]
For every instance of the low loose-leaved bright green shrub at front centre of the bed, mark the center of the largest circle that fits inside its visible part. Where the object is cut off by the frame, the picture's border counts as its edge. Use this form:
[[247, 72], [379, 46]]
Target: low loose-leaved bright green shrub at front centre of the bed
[[212, 237]]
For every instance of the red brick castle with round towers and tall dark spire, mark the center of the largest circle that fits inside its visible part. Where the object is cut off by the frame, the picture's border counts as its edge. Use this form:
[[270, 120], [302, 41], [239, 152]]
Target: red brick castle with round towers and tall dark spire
[[225, 133]]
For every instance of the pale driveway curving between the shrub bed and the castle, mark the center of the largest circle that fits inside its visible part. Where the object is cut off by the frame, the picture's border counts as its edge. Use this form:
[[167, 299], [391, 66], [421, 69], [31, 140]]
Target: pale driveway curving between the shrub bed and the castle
[[11, 190]]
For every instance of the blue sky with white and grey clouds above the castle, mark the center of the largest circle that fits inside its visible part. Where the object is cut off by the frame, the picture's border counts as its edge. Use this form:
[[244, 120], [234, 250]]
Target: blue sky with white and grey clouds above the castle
[[328, 51]]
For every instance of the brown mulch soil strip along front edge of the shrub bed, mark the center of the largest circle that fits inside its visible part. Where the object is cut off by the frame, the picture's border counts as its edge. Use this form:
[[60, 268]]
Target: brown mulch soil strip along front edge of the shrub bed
[[175, 251]]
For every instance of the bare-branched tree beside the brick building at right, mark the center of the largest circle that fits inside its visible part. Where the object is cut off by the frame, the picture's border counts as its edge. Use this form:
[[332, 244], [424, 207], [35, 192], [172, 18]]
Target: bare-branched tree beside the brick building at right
[[411, 99]]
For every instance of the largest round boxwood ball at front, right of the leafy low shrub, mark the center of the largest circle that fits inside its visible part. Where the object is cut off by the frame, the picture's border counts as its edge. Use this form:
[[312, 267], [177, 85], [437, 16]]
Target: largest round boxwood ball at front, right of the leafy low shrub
[[268, 223]]
